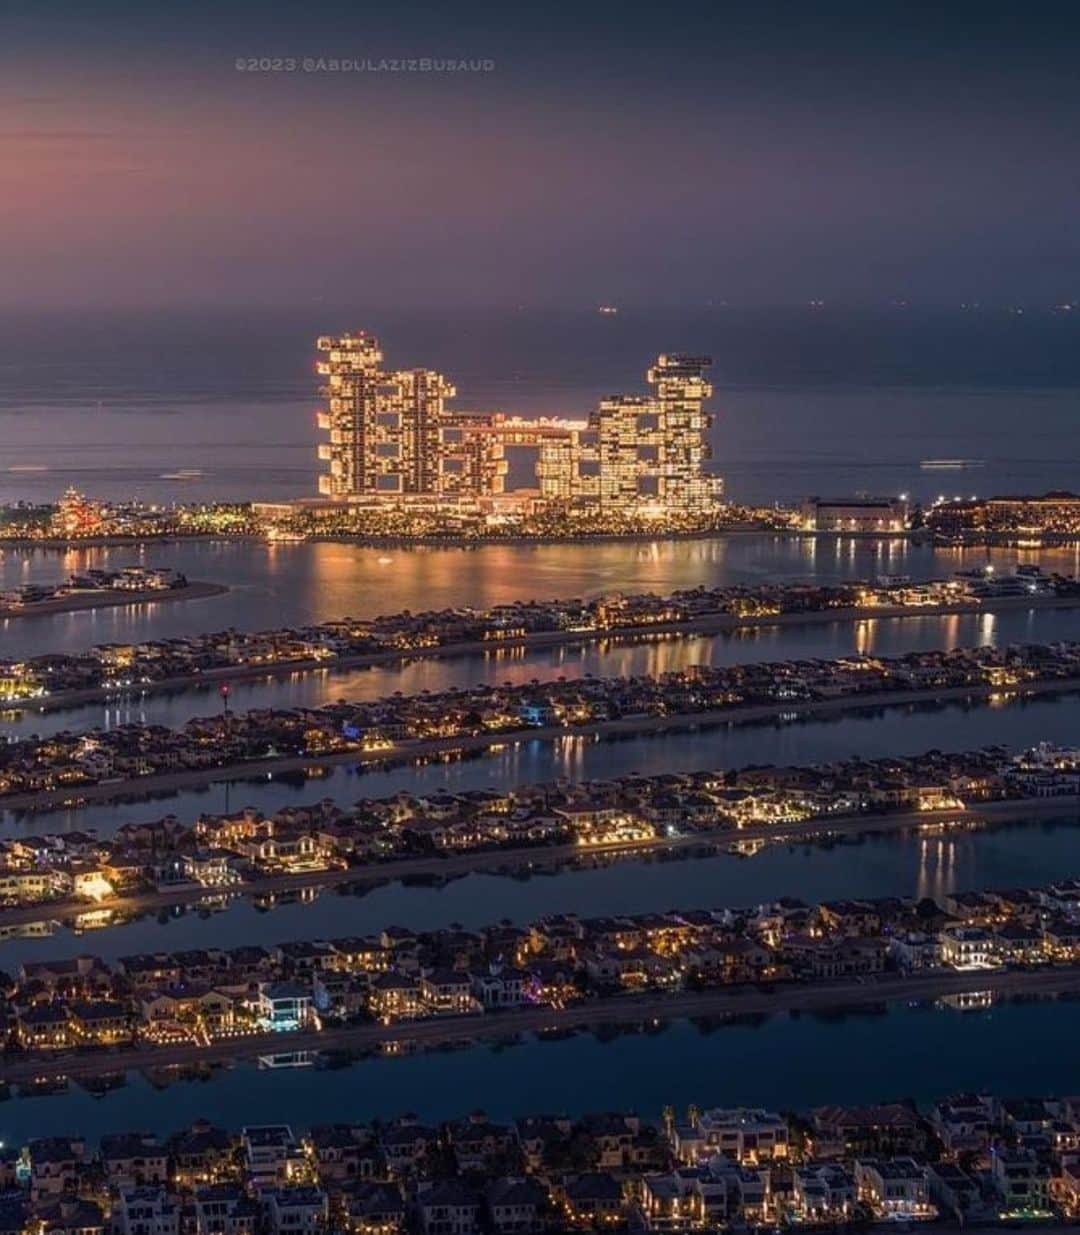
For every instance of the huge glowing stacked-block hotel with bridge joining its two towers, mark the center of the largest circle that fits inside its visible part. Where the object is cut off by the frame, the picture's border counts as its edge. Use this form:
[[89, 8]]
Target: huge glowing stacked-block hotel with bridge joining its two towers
[[391, 437]]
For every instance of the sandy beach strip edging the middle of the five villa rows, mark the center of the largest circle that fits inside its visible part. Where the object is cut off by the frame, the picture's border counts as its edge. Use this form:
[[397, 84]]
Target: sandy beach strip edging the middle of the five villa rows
[[497, 861]]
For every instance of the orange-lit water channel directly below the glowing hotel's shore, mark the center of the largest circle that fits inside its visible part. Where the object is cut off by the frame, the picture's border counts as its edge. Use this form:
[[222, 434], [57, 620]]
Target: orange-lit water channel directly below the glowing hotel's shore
[[313, 582]]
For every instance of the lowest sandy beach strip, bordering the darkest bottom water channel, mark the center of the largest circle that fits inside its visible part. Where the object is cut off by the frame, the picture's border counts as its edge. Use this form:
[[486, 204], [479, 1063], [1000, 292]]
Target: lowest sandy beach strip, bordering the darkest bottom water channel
[[617, 1010]]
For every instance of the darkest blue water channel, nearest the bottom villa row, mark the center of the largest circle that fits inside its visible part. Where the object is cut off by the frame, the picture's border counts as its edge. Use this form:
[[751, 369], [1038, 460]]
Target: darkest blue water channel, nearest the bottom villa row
[[757, 1063]]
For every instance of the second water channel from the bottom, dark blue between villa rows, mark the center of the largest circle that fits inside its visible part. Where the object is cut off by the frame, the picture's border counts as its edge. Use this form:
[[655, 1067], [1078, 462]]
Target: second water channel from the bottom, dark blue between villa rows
[[878, 865]]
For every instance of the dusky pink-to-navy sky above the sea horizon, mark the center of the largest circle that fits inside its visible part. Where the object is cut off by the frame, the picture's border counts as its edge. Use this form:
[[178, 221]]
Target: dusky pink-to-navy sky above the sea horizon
[[668, 154]]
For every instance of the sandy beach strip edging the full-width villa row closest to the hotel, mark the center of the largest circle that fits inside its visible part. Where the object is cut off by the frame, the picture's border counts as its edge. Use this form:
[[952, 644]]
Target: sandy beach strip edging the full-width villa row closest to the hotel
[[720, 624]]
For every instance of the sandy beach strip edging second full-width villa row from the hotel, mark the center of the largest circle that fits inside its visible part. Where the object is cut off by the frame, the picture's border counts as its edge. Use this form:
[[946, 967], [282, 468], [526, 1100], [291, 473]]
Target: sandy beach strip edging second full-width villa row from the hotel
[[406, 751]]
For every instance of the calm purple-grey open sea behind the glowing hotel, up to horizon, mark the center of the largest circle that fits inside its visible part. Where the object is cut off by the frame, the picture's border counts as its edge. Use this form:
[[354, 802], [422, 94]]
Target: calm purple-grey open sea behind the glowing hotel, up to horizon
[[808, 401]]
